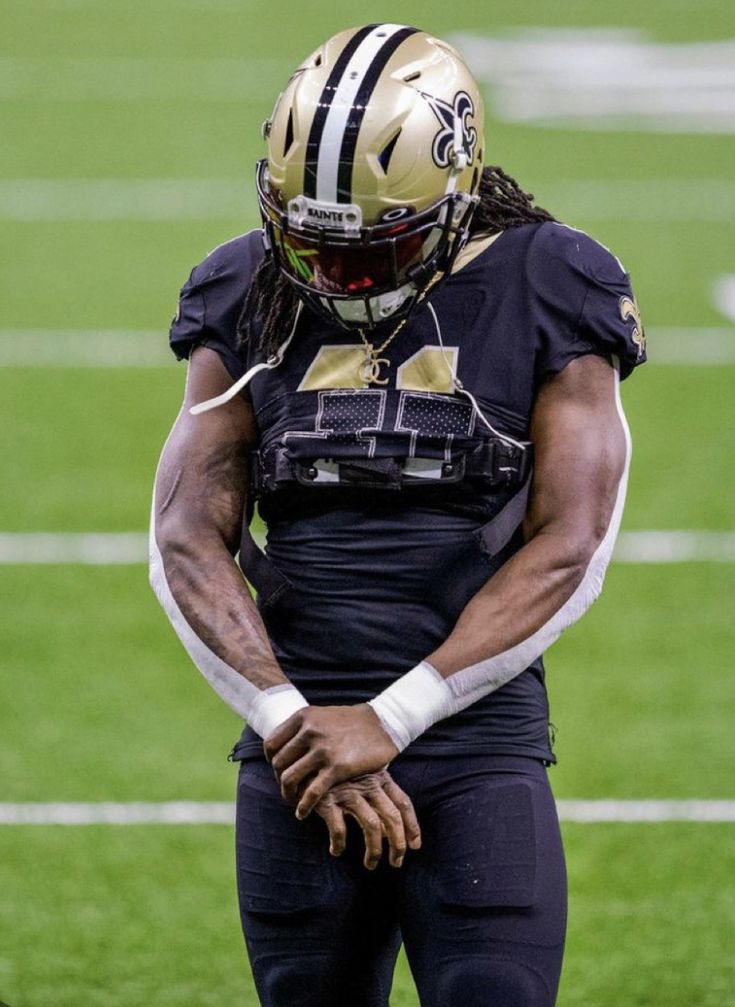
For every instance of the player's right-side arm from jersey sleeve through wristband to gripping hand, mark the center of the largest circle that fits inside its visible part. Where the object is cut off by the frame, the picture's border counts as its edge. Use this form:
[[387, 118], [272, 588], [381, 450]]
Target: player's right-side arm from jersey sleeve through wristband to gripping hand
[[582, 452]]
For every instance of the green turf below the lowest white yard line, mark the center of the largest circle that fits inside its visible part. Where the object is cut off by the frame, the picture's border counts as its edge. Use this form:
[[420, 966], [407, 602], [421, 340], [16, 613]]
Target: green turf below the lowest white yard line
[[108, 918]]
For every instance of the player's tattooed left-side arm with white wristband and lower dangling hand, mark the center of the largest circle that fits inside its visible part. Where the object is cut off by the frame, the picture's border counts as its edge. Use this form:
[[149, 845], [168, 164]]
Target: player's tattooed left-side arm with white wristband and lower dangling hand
[[198, 510]]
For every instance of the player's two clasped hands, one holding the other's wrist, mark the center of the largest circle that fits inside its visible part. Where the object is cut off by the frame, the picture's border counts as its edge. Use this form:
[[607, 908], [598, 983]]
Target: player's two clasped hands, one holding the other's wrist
[[333, 760]]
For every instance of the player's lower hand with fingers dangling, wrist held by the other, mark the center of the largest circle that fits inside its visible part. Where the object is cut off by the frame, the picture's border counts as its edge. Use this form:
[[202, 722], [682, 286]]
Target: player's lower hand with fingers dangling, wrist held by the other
[[381, 809]]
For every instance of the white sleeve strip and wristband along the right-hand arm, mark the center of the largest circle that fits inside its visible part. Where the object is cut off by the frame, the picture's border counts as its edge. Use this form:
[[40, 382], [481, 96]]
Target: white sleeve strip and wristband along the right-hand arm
[[422, 697]]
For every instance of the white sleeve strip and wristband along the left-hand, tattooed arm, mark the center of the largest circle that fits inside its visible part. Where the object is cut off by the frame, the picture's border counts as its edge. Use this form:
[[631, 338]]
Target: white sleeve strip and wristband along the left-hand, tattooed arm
[[264, 709]]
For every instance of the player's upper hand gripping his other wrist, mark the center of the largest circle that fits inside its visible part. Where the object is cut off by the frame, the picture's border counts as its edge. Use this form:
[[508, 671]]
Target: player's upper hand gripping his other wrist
[[321, 747]]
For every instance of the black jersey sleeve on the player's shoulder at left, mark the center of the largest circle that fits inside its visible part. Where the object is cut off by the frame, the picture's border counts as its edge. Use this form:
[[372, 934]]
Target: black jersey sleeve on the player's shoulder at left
[[212, 301]]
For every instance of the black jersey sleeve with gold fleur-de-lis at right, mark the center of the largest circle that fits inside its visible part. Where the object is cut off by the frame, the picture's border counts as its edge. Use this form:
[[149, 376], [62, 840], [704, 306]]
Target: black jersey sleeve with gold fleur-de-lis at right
[[585, 303]]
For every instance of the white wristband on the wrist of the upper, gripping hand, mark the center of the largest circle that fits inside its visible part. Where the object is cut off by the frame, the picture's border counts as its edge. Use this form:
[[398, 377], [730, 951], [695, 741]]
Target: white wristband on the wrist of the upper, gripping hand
[[412, 704]]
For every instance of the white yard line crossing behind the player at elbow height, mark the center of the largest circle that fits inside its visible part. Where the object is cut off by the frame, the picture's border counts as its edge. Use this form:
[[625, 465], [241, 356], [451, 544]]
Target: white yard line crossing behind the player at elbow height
[[124, 548]]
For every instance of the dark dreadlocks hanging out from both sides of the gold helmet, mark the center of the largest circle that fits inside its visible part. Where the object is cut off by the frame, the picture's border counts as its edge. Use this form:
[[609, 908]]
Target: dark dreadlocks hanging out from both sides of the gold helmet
[[270, 305]]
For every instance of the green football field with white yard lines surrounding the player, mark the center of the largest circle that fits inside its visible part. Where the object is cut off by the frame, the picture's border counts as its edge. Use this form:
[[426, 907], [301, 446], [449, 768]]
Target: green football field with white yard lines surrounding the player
[[129, 135]]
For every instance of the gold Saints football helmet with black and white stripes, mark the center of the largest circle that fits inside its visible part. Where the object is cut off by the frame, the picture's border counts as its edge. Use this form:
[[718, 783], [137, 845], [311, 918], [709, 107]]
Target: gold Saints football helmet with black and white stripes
[[375, 157]]
